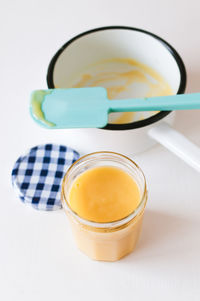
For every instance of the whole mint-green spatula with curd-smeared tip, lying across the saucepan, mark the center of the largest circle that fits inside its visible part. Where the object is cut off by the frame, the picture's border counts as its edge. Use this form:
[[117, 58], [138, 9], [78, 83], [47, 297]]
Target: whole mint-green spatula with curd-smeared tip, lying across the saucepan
[[89, 107]]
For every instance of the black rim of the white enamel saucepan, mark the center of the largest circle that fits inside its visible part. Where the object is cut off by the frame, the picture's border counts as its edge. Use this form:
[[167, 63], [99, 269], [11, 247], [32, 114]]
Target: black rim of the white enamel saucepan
[[135, 124]]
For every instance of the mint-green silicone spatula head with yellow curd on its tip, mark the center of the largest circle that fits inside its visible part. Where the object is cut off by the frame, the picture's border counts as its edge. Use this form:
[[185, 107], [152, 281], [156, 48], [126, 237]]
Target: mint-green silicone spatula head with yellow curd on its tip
[[70, 108]]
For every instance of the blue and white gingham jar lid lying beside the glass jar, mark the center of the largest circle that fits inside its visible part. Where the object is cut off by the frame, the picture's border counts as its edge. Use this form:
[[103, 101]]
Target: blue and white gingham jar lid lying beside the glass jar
[[37, 176]]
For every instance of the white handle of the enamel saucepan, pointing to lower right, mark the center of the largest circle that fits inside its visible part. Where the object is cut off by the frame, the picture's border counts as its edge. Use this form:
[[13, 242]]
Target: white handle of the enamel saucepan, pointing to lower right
[[176, 143]]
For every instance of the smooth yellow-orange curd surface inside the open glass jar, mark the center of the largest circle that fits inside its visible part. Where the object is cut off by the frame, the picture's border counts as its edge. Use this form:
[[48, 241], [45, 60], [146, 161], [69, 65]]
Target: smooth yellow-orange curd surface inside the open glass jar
[[104, 194]]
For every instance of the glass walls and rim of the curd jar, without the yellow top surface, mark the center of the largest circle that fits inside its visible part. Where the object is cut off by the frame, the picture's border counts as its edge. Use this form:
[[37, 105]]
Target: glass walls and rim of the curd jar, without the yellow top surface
[[105, 241]]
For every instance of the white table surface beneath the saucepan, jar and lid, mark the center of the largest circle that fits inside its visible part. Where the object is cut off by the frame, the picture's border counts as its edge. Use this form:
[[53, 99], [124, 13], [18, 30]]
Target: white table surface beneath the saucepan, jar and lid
[[38, 257]]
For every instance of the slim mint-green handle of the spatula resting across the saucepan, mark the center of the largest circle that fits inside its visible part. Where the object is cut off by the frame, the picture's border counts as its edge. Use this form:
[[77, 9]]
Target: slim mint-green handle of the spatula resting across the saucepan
[[164, 103]]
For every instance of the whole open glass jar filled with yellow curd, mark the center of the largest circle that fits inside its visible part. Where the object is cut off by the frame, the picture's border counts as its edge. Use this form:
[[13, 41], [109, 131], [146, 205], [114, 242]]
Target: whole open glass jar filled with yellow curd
[[104, 195]]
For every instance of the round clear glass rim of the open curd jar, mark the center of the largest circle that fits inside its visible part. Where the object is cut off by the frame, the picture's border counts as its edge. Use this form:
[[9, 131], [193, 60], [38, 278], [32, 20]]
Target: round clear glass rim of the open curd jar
[[112, 224]]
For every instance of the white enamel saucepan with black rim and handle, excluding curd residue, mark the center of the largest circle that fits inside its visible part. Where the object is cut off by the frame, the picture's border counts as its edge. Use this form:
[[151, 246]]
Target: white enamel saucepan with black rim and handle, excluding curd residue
[[128, 138]]
